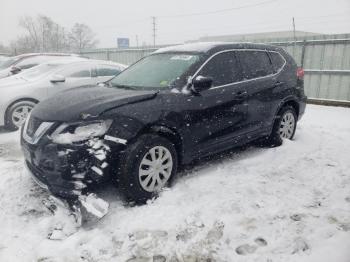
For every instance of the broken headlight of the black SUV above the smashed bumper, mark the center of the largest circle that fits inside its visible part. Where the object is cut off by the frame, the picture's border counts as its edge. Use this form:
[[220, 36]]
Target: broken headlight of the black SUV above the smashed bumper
[[68, 133]]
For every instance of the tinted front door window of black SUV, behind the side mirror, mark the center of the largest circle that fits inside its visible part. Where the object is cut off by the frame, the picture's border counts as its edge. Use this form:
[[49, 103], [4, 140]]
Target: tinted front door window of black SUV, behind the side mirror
[[223, 69]]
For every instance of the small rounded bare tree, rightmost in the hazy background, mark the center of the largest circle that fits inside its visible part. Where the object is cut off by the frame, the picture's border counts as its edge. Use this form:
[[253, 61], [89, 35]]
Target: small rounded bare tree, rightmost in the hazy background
[[82, 37]]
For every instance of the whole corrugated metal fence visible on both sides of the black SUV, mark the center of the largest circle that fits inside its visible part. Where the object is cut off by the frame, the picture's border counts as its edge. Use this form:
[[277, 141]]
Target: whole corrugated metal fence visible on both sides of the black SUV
[[331, 52]]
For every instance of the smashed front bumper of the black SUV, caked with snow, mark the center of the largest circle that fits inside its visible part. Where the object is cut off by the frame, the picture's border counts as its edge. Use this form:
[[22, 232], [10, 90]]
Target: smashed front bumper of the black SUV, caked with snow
[[70, 170]]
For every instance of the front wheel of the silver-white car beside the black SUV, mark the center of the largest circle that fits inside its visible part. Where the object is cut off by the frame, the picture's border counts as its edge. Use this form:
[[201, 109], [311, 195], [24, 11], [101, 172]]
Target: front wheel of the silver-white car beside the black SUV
[[17, 114]]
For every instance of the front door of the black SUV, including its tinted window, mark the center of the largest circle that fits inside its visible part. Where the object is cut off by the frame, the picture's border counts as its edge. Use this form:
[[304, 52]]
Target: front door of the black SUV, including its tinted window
[[217, 117]]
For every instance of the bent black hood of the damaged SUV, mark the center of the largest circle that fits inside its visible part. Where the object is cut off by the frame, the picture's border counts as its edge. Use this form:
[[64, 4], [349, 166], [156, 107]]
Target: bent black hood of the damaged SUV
[[74, 104]]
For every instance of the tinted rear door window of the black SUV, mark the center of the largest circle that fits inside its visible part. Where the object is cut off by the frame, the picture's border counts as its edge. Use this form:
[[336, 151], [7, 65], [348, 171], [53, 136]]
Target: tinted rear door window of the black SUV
[[255, 64]]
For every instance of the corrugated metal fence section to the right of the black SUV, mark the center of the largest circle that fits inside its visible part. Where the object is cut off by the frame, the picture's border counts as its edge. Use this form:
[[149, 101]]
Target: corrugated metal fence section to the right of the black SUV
[[327, 67]]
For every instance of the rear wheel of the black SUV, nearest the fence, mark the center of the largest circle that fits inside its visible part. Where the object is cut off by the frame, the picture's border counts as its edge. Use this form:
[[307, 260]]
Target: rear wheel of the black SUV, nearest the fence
[[283, 128]]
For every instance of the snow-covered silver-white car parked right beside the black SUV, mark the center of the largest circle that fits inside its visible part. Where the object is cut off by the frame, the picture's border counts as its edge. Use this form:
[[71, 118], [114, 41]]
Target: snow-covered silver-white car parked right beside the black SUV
[[20, 93]]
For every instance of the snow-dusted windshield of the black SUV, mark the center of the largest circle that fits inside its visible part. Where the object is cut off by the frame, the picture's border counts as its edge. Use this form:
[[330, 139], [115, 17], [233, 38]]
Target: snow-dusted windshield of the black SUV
[[155, 72]]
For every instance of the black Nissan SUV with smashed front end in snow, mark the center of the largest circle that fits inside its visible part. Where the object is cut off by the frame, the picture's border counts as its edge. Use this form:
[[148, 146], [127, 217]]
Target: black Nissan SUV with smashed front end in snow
[[171, 107]]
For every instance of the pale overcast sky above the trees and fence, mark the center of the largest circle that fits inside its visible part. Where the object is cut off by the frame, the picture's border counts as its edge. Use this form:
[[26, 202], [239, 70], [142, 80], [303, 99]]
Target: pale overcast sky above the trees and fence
[[178, 20]]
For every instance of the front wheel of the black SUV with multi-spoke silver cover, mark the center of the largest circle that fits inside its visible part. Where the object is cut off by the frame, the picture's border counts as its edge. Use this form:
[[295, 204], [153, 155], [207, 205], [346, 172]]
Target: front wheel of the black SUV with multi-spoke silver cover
[[146, 166]]
